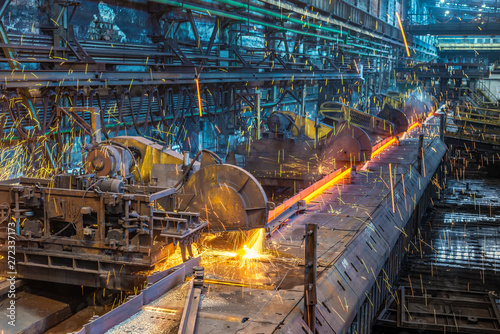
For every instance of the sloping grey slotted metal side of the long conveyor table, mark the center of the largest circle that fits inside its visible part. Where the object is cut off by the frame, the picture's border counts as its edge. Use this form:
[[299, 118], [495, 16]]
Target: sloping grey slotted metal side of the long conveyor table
[[333, 286]]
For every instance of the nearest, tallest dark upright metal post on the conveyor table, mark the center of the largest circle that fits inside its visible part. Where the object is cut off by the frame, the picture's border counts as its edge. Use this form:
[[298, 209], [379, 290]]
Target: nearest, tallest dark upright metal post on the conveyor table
[[310, 298]]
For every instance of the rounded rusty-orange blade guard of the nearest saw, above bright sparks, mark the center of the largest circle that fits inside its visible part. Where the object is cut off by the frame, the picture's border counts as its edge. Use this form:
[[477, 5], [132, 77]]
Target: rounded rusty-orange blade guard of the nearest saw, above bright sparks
[[227, 196]]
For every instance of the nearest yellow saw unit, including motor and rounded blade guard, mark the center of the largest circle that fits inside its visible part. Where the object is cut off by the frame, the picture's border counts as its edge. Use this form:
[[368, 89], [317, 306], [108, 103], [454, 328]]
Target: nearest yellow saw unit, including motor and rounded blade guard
[[226, 196]]
